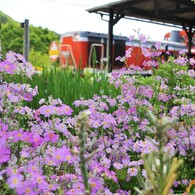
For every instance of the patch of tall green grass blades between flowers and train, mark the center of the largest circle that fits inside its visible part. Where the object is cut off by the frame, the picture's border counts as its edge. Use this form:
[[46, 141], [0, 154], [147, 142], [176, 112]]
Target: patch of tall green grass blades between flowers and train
[[67, 85]]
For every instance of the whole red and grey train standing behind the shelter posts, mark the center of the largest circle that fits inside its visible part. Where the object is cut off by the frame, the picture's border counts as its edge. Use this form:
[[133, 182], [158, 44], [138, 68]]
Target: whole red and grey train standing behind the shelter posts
[[82, 49]]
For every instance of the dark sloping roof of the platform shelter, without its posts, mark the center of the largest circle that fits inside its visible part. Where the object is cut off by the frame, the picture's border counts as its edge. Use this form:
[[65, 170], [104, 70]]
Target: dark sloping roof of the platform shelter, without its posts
[[170, 12]]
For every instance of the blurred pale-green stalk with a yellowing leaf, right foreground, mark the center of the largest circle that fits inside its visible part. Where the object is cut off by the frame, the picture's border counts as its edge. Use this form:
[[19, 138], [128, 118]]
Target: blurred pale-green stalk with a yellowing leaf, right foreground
[[161, 168]]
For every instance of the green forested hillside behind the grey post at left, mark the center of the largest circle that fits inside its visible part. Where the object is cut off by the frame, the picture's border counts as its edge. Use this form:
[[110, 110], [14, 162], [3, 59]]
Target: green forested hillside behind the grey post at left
[[11, 34]]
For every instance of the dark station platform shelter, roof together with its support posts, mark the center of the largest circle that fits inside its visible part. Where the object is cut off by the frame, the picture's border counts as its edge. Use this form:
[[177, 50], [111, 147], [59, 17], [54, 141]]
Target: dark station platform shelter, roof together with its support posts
[[177, 13]]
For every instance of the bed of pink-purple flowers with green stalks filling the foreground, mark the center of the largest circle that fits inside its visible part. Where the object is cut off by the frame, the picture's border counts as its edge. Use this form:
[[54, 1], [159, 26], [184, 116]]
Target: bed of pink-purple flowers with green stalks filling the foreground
[[141, 141]]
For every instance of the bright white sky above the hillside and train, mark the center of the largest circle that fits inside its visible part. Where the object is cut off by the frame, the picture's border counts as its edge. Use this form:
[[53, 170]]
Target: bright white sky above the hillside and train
[[64, 16]]
